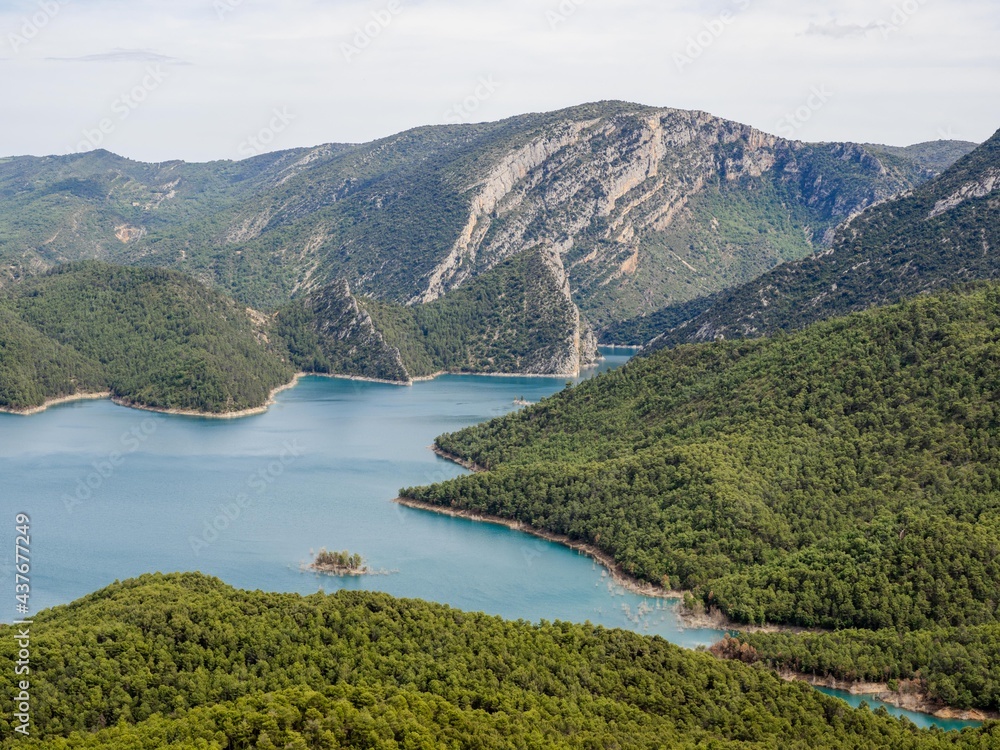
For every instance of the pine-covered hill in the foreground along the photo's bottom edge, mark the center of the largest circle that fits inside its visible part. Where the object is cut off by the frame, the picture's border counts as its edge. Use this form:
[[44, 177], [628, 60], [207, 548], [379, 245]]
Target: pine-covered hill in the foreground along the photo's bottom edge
[[184, 661]]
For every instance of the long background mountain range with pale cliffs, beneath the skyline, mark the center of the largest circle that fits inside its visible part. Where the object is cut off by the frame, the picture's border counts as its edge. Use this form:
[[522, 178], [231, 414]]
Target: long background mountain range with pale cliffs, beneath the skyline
[[642, 206]]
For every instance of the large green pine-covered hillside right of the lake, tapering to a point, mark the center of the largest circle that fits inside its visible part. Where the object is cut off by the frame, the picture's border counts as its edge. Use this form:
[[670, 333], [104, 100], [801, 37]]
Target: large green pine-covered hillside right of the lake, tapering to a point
[[844, 476]]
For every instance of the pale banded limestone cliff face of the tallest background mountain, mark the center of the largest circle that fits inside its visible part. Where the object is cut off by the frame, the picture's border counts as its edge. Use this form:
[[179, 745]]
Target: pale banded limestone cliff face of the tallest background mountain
[[605, 191]]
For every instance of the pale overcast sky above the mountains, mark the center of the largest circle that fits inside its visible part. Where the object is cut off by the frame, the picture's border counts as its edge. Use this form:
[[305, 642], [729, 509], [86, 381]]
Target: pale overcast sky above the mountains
[[223, 79]]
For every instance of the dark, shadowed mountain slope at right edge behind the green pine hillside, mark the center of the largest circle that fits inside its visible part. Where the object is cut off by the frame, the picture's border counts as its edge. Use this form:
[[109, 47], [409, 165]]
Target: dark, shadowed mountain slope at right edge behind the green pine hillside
[[944, 232]]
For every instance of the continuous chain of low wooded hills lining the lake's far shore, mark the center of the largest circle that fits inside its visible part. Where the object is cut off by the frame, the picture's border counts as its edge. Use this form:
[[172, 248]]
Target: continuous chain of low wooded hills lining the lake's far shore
[[160, 339]]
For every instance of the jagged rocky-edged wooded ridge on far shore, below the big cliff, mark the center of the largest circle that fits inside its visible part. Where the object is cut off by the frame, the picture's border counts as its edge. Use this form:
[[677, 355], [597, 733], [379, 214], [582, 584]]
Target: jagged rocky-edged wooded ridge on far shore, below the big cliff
[[516, 318]]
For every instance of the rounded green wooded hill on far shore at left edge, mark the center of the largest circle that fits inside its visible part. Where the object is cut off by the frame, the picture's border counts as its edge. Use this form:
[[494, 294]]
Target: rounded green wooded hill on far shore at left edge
[[151, 338]]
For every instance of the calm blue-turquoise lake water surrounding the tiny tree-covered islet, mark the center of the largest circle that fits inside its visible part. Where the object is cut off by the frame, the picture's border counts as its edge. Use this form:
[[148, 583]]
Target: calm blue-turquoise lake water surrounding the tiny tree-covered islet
[[113, 493]]
